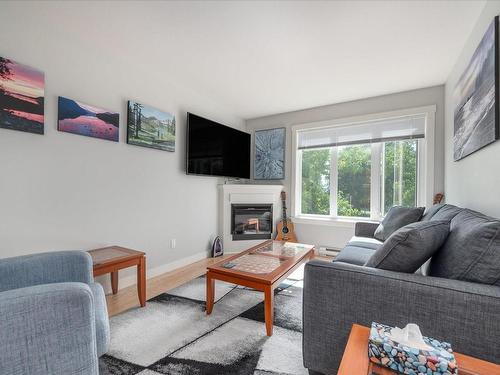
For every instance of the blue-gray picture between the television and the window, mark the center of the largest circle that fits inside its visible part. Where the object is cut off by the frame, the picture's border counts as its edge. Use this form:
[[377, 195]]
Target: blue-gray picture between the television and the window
[[269, 159]]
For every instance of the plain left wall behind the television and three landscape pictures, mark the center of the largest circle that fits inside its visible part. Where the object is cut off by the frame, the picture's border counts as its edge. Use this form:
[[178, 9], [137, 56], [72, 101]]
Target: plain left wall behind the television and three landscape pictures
[[64, 191]]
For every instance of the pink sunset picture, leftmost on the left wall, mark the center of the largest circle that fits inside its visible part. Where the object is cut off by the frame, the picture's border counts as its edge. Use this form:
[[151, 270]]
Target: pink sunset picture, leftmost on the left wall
[[21, 97]]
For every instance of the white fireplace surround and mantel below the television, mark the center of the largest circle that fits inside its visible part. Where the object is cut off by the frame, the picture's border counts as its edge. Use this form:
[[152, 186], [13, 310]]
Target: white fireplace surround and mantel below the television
[[242, 194]]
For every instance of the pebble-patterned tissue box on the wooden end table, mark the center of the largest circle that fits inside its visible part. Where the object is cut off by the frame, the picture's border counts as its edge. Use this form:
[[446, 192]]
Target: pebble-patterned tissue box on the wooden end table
[[383, 351]]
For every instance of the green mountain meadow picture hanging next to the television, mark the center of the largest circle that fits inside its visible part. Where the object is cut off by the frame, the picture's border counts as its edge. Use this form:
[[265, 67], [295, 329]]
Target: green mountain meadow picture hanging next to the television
[[149, 127]]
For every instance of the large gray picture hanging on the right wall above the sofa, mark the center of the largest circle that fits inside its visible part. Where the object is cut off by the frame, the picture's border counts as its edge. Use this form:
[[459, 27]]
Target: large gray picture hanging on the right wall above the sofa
[[476, 98]]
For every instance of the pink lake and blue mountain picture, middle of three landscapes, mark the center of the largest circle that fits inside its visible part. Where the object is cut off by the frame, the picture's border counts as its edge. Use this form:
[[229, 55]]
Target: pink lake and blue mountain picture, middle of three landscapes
[[84, 119]]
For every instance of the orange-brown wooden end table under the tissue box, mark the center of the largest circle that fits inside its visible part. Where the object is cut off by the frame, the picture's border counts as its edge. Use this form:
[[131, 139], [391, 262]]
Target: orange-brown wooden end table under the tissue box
[[355, 359]]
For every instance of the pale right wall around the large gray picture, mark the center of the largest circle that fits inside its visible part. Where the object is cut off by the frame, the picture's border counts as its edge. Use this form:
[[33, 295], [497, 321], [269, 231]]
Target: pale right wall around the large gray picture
[[473, 181]]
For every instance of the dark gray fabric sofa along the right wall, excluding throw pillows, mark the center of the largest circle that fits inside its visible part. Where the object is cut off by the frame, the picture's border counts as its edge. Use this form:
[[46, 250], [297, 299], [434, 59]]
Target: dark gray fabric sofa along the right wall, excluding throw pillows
[[454, 297]]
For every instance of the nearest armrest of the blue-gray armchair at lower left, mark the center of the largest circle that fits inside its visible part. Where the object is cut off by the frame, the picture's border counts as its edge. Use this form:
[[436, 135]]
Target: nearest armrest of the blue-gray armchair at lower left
[[48, 329]]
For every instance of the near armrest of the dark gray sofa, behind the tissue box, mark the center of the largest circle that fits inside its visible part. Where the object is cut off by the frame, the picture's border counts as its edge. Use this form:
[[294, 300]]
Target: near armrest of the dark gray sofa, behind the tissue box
[[337, 294]]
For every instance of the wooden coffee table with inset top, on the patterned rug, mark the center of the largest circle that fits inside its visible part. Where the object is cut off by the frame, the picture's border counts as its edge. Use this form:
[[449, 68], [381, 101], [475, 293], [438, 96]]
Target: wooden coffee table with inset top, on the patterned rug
[[262, 267]]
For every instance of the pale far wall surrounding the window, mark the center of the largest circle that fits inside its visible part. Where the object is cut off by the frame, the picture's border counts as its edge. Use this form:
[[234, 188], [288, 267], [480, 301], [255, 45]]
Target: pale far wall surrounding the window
[[337, 236]]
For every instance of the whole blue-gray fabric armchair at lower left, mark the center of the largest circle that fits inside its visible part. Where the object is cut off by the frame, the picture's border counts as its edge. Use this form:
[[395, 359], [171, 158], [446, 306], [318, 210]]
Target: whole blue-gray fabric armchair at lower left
[[53, 317]]
